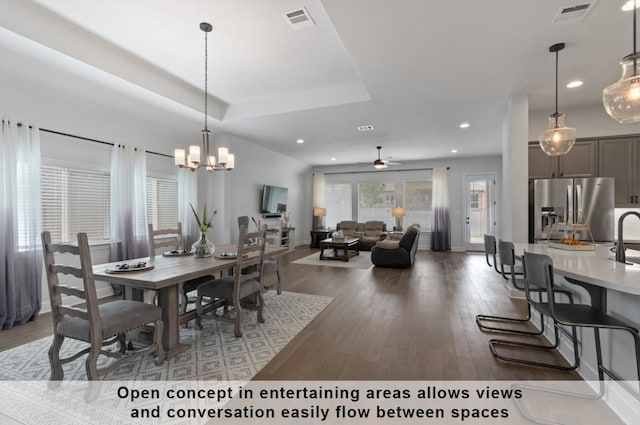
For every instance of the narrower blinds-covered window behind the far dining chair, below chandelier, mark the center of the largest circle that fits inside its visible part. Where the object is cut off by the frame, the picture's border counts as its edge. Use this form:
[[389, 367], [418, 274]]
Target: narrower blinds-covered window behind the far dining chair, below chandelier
[[162, 203]]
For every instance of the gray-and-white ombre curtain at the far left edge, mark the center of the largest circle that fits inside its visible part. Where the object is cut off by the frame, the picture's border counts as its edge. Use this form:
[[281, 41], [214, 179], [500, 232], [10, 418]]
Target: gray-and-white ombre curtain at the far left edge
[[20, 243]]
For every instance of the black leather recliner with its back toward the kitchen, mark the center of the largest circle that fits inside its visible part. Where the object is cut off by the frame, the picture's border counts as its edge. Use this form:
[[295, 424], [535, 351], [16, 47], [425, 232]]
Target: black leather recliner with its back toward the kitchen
[[397, 252]]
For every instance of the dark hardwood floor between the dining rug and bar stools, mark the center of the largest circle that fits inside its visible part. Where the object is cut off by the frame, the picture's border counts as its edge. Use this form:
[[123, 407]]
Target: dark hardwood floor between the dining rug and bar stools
[[386, 324]]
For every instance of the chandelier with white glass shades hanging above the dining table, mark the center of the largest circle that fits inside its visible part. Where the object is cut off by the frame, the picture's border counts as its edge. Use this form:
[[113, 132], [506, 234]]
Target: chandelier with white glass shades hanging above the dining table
[[200, 157]]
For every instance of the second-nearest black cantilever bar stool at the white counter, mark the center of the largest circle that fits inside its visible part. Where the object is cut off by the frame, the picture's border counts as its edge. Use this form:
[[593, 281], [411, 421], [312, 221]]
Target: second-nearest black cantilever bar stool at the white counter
[[506, 252]]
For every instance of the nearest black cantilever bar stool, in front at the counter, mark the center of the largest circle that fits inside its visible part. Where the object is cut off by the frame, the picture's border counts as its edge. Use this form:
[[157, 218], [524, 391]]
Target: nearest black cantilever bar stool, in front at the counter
[[539, 268]]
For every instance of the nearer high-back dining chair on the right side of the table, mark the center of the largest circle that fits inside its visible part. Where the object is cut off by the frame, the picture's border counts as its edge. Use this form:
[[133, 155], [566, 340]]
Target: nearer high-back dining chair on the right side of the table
[[243, 289]]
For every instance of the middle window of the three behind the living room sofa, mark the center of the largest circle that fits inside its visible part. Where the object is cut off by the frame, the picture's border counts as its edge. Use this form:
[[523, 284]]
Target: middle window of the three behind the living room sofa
[[375, 201]]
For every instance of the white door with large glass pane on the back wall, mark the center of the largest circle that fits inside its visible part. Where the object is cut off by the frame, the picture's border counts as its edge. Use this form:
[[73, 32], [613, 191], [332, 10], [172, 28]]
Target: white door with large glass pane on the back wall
[[479, 216]]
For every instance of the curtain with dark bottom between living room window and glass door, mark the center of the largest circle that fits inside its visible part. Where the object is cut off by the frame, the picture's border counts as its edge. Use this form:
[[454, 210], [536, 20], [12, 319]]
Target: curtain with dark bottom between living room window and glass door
[[440, 220]]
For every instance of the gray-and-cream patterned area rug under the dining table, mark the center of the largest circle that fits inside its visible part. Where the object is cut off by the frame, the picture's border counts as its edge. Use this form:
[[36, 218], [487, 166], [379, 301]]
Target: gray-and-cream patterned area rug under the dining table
[[213, 353]]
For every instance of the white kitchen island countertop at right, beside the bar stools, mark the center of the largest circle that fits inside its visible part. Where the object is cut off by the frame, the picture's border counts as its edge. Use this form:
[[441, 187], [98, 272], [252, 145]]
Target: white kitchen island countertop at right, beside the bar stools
[[593, 267]]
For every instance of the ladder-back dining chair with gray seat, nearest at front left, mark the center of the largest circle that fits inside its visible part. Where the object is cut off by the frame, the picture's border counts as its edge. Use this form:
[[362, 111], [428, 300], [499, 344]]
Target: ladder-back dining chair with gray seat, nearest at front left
[[100, 325]]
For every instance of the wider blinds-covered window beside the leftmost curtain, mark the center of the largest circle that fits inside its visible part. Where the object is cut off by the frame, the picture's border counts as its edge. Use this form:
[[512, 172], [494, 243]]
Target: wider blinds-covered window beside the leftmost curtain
[[75, 201]]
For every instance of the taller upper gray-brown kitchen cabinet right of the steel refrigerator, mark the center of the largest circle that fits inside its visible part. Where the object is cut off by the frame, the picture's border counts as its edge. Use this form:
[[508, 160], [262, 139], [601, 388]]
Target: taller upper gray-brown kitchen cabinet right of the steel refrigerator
[[619, 158]]
